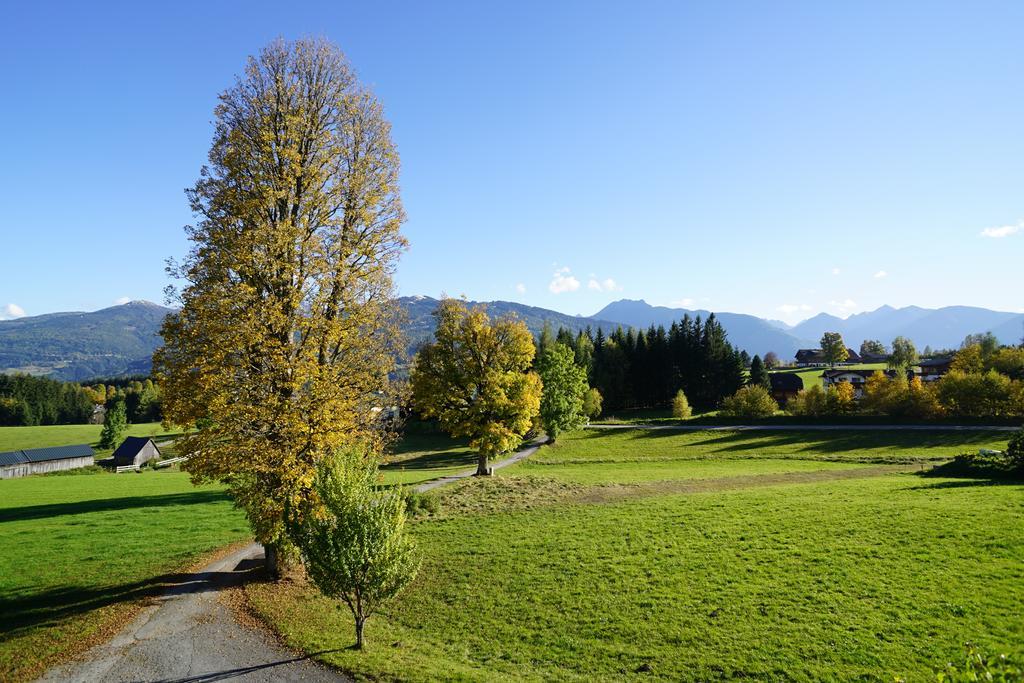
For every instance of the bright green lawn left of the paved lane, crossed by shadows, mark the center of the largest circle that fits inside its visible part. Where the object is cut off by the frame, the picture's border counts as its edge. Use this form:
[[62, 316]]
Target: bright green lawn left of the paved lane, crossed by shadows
[[79, 552]]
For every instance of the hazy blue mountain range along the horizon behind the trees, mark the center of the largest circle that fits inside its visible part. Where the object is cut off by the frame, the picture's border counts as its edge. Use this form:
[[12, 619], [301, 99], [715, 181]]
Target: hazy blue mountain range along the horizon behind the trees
[[120, 340]]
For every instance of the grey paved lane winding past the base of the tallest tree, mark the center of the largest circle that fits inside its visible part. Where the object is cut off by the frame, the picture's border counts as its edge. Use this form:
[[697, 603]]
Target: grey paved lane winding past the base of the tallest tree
[[191, 636]]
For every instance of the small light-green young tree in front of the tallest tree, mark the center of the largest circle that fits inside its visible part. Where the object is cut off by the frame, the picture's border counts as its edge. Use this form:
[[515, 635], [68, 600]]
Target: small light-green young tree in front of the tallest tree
[[357, 549]]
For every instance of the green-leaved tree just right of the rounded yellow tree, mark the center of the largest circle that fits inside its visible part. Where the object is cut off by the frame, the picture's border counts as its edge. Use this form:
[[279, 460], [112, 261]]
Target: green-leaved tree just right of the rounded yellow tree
[[565, 386]]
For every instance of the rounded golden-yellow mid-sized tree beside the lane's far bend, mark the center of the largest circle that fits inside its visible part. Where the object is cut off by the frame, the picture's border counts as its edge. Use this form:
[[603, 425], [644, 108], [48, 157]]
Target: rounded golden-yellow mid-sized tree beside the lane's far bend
[[476, 379]]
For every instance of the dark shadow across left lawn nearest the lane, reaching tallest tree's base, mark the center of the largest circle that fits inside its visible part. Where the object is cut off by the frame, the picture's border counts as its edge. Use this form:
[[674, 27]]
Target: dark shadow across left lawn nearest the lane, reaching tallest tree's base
[[26, 612]]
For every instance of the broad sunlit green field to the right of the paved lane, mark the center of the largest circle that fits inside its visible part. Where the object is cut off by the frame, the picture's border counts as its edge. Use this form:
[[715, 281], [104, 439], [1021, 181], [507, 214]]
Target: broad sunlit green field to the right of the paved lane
[[575, 568]]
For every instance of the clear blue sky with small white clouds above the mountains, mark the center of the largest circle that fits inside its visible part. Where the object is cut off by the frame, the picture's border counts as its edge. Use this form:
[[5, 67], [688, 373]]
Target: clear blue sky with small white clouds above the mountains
[[778, 159]]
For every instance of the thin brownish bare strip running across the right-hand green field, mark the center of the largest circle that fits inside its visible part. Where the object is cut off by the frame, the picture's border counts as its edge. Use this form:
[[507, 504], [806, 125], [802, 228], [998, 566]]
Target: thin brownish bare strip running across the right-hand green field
[[614, 493]]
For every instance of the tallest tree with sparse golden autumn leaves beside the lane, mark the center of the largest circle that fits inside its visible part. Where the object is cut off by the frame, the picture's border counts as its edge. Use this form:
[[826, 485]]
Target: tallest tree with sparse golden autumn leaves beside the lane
[[285, 337]]
